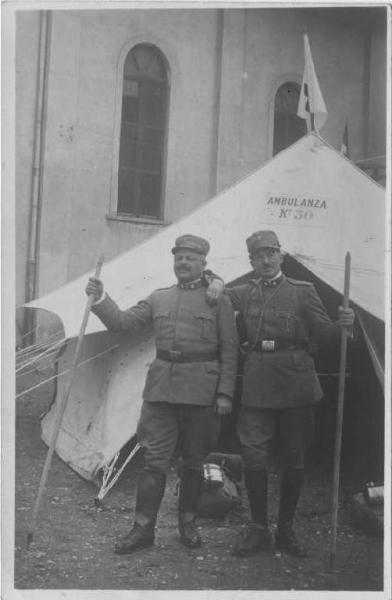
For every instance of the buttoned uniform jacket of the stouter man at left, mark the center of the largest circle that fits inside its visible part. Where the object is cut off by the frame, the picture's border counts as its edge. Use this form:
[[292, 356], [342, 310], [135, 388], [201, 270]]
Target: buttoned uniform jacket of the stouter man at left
[[182, 320]]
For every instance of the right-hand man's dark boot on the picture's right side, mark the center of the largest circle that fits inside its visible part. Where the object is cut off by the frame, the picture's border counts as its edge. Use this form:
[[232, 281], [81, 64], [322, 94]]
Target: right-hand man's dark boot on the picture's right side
[[285, 538]]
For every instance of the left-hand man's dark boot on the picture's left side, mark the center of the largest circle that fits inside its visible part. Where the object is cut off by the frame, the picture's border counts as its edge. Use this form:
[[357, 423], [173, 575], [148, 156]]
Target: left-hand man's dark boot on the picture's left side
[[150, 489]]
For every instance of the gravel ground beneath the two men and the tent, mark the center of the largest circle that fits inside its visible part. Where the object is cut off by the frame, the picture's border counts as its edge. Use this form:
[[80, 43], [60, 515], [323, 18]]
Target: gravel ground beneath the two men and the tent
[[73, 541]]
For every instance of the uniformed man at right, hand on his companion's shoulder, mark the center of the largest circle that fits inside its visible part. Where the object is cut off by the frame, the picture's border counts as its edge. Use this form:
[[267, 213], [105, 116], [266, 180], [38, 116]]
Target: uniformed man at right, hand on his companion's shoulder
[[280, 385]]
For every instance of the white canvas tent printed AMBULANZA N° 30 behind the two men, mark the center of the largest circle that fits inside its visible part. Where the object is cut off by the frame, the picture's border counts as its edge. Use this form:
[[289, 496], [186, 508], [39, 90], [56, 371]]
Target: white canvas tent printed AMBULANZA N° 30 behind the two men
[[319, 204]]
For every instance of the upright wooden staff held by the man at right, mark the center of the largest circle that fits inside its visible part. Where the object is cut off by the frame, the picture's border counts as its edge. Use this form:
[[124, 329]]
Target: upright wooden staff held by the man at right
[[339, 418]]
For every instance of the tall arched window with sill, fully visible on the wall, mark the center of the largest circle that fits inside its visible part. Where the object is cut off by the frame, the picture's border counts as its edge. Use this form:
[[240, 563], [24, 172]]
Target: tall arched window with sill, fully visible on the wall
[[143, 128]]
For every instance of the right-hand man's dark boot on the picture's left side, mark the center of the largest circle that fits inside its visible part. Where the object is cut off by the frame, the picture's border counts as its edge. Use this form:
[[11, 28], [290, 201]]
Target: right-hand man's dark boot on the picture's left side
[[257, 536]]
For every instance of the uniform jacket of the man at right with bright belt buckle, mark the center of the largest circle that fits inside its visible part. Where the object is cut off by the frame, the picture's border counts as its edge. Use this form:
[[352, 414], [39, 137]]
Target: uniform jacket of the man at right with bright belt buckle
[[289, 312]]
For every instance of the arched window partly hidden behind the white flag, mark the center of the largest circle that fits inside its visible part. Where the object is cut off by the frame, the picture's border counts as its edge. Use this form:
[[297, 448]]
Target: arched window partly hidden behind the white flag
[[288, 127]]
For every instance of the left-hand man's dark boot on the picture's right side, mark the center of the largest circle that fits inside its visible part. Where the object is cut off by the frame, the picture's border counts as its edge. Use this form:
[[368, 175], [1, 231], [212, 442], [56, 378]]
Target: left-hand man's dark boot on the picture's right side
[[191, 485]]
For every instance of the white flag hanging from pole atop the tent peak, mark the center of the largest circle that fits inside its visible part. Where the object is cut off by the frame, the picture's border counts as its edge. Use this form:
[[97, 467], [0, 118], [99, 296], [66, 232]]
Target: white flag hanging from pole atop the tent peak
[[311, 105]]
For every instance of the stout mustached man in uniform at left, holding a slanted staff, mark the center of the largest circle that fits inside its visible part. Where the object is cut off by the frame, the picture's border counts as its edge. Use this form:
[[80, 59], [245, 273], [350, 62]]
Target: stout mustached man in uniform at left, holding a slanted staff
[[188, 387]]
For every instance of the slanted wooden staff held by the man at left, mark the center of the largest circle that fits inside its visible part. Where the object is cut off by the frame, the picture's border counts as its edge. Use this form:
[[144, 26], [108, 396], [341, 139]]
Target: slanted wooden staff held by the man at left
[[61, 410]]
